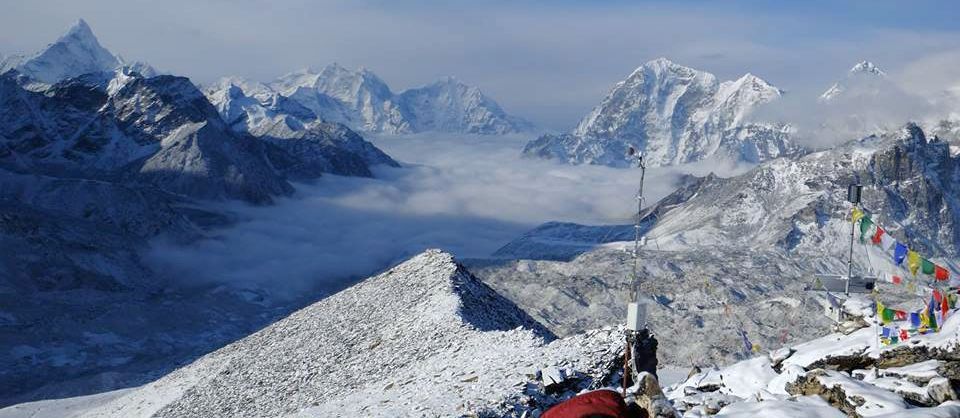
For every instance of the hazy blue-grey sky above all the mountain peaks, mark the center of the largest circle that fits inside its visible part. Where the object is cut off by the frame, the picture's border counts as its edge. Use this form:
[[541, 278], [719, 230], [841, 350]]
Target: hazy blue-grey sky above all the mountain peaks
[[547, 61]]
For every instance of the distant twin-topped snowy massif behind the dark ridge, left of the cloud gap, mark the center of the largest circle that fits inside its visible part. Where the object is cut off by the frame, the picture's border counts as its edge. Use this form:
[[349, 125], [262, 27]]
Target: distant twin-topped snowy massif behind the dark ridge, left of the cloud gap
[[363, 101]]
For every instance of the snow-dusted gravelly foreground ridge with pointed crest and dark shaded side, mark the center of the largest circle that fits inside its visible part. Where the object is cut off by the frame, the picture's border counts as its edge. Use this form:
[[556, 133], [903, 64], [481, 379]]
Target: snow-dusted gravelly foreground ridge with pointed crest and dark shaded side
[[388, 338]]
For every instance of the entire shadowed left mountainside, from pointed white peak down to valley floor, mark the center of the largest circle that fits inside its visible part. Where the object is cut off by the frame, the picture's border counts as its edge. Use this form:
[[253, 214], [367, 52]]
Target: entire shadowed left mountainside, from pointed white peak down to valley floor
[[97, 160]]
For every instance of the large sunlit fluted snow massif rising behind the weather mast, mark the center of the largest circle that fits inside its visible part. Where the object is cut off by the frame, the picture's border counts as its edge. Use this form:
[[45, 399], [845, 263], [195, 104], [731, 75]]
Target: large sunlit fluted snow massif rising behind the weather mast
[[675, 114]]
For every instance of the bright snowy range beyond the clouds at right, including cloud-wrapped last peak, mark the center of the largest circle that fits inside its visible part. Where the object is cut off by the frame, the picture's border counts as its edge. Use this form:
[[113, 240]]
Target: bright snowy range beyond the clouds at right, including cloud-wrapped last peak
[[677, 115]]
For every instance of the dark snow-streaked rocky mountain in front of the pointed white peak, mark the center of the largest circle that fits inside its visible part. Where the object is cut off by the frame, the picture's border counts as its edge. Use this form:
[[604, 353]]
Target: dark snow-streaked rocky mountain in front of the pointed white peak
[[160, 130]]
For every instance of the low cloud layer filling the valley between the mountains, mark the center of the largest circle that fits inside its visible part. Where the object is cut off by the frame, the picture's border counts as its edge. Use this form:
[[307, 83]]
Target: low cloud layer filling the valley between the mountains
[[467, 195]]
